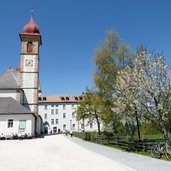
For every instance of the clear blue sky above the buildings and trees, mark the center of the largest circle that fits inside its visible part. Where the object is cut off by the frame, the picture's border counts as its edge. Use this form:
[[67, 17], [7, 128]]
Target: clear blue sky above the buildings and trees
[[72, 30]]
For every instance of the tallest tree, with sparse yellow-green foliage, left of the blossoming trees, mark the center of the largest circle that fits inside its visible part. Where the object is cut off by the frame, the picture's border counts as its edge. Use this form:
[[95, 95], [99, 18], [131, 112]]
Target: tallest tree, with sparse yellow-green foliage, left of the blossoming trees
[[110, 57]]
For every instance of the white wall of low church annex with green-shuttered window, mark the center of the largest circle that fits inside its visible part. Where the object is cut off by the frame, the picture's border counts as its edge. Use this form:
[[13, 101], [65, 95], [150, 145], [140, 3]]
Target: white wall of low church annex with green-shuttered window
[[30, 124]]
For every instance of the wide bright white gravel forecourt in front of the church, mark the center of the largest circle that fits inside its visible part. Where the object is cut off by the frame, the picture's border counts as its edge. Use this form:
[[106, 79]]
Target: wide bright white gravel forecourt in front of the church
[[53, 153]]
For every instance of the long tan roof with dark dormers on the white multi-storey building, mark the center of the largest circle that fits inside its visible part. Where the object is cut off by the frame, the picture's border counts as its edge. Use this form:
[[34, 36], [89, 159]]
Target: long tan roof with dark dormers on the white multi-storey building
[[60, 98]]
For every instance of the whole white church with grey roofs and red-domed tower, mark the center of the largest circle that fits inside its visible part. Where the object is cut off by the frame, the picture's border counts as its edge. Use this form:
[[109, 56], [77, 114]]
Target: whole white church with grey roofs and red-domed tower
[[19, 88]]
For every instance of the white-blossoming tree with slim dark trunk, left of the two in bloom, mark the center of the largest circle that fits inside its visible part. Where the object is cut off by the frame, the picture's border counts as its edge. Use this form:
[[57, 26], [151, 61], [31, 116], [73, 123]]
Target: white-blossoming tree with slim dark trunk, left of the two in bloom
[[127, 97]]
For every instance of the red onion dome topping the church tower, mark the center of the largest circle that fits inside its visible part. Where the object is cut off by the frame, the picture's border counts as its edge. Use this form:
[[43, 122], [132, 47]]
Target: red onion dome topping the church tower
[[31, 27]]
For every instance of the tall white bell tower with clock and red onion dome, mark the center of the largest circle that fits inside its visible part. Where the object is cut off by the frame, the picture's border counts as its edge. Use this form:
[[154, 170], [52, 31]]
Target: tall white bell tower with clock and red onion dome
[[29, 64]]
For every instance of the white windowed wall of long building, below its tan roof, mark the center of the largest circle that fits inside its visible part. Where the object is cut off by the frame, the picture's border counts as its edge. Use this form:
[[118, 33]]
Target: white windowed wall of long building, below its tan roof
[[70, 119]]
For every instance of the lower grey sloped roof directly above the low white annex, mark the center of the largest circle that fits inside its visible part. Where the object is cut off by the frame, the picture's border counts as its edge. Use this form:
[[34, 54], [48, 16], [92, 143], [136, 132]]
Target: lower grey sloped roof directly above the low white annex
[[10, 106]]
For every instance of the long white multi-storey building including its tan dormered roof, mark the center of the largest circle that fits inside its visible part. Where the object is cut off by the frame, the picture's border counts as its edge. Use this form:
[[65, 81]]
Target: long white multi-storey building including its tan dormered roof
[[59, 114]]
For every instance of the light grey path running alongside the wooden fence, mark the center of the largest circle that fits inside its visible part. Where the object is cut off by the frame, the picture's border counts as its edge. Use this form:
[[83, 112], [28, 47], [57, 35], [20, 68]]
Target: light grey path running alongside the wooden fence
[[137, 162]]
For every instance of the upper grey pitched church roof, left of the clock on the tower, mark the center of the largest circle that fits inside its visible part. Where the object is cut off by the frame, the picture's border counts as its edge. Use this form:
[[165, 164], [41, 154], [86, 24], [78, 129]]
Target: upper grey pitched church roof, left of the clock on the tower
[[9, 79]]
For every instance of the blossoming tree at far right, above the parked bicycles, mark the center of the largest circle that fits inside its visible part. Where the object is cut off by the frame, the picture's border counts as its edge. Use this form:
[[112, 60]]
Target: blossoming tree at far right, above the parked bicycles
[[156, 90]]
